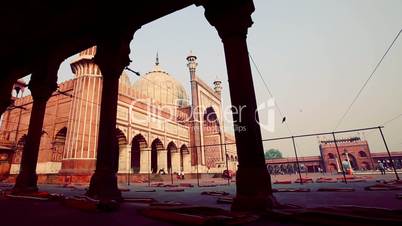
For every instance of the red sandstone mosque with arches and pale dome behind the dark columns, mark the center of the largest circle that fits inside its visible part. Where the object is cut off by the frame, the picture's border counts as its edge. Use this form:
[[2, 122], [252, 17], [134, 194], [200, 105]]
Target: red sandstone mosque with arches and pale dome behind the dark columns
[[159, 126]]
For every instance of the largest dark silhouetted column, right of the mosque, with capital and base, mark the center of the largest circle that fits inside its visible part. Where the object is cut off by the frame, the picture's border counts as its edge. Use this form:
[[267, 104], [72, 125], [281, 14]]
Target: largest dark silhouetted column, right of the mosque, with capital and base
[[253, 182]]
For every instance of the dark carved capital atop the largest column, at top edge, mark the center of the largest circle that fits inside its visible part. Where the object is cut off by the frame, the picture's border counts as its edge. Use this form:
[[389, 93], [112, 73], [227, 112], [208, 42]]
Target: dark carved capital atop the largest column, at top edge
[[231, 18]]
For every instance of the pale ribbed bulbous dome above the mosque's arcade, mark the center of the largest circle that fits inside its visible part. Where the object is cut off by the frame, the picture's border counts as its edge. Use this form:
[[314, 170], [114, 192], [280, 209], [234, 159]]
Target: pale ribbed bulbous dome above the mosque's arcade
[[162, 88]]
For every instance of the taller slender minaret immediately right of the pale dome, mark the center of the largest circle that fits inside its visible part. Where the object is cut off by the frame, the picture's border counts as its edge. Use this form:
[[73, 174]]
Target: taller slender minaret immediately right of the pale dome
[[196, 153]]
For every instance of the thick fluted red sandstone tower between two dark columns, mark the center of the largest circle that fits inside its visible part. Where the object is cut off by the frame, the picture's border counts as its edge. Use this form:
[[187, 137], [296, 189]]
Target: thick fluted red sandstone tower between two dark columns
[[82, 129]]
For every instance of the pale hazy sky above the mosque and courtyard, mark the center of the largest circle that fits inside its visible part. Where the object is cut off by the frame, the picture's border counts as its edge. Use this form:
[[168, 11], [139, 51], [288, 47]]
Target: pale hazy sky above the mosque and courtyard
[[314, 55]]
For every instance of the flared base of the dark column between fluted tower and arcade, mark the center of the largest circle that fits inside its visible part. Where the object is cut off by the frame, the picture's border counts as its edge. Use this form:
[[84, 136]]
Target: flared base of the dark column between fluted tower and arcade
[[103, 186]]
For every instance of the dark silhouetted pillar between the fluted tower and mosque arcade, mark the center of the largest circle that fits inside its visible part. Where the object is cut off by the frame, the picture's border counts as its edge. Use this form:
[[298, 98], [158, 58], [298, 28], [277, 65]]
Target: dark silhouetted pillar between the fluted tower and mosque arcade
[[112, 57]]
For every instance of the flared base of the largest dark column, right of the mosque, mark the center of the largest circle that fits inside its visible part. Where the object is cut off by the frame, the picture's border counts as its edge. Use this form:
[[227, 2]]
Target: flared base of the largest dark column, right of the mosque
[[254, 192]]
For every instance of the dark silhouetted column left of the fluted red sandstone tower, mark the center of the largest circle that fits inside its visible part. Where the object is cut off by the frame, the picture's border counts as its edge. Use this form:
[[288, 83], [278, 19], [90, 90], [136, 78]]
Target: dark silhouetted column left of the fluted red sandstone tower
[[42, 84]]
